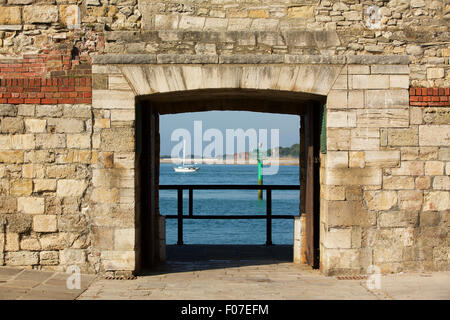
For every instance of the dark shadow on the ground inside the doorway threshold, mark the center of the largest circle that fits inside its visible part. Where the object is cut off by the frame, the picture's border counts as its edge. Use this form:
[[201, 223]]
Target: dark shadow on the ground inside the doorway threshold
[[196, 257]]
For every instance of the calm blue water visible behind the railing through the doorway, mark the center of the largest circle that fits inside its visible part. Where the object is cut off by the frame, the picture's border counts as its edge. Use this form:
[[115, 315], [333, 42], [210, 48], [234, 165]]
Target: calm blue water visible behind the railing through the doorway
[[229, 202]]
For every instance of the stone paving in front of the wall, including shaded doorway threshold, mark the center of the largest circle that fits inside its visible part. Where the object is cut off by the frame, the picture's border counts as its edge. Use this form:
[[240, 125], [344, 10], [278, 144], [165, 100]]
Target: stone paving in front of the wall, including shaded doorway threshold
[[194, 273]]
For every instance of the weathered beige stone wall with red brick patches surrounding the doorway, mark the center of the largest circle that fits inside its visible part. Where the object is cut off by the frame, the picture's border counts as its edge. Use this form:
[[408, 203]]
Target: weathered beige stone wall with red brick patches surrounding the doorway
[[67, 136]]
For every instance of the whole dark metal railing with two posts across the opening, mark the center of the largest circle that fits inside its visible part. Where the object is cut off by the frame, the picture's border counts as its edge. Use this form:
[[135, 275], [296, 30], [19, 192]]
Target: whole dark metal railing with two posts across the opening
[[268, 216]]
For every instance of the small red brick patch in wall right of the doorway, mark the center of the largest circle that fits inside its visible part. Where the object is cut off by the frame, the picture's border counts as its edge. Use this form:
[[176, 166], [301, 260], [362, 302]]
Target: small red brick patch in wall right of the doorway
[[429, 97]]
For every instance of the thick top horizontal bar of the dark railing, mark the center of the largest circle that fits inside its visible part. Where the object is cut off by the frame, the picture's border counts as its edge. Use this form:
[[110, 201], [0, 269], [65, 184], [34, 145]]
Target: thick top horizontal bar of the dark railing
[[228, 187]]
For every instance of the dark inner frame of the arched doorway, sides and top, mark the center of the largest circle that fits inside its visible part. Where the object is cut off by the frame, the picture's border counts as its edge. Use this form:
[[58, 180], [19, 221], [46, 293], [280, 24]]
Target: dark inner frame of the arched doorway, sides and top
[[150, 107]]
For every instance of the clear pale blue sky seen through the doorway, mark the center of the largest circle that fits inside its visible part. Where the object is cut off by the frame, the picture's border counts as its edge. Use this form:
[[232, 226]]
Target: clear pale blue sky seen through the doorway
[[288, 126]]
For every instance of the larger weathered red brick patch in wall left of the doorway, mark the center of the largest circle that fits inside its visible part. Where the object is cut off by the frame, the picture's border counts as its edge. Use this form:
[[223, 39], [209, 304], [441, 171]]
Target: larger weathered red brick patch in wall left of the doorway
[[48, 78]]
